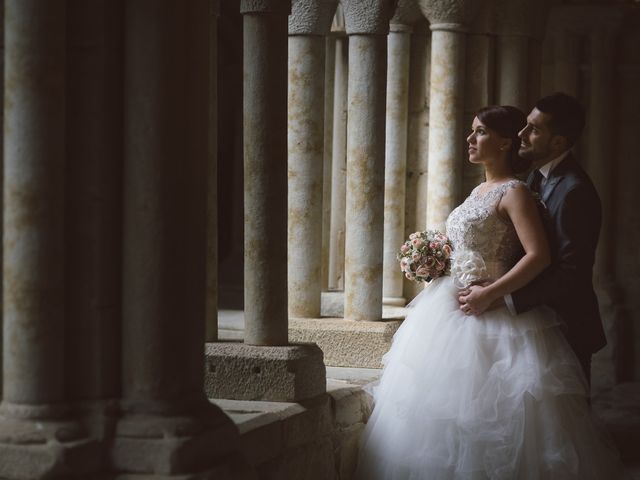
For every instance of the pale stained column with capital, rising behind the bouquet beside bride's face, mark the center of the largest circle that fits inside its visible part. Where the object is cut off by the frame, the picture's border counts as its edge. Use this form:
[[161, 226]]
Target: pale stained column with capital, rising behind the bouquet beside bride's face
[[446, 121]]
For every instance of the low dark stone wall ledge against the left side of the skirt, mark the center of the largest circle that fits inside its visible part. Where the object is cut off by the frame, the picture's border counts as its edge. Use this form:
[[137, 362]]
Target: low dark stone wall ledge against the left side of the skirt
[[311, 440]]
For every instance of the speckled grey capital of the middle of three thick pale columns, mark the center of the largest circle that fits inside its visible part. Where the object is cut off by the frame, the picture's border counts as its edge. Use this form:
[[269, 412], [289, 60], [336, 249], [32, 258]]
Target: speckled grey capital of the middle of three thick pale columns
[[368, 16]]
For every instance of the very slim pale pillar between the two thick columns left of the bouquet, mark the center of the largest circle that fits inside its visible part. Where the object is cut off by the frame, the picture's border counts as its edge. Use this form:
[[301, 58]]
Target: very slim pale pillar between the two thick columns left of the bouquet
[[339, 155]]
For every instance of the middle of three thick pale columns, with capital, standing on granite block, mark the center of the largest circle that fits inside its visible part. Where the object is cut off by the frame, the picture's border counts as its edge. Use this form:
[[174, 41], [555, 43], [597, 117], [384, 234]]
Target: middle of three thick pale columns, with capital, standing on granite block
[[367, 27]]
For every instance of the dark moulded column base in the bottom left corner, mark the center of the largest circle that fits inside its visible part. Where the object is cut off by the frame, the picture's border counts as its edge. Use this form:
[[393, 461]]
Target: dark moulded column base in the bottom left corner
[[34, 446]]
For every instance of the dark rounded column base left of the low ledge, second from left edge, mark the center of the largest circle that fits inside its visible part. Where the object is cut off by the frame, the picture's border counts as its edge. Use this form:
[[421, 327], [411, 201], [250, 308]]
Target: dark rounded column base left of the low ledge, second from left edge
[[194, 445]]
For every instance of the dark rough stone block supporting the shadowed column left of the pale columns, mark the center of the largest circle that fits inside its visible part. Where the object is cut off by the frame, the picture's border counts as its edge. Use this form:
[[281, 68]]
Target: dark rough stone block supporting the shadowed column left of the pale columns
[[236, 371]]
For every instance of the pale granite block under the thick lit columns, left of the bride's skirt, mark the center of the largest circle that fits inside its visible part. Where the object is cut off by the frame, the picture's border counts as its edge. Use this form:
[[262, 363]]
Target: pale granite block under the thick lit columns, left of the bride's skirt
[[346, 343]]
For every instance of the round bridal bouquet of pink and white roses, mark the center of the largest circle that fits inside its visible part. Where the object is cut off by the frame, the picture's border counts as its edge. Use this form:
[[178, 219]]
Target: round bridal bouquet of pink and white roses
[[425, 256]]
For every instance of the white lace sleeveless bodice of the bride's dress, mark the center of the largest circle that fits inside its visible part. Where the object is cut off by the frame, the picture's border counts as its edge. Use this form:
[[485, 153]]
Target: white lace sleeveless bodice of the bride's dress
[[475, 226]]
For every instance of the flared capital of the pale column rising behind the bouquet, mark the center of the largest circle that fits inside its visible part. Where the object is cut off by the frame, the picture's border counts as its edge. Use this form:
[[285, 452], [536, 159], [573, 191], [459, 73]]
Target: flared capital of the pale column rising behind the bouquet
[[452, 15]]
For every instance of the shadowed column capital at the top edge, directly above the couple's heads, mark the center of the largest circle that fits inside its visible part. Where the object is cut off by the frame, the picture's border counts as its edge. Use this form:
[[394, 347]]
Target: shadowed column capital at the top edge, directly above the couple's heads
[[526, 18]]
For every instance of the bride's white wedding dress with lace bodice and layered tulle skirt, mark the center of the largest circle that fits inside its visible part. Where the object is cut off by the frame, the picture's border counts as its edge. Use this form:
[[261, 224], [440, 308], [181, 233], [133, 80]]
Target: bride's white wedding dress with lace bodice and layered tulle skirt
[[492, 396]]
